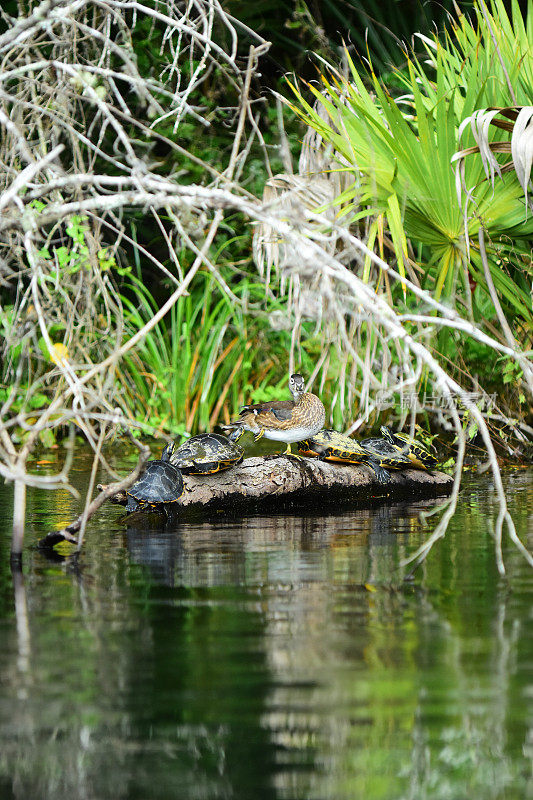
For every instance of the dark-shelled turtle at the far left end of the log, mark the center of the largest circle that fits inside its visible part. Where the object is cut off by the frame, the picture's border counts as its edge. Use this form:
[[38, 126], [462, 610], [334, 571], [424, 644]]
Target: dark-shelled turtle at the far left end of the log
[[160, 485]]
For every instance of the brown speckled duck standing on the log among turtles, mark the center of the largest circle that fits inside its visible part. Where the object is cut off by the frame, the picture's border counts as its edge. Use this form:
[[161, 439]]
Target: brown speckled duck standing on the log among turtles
[[282, 420]]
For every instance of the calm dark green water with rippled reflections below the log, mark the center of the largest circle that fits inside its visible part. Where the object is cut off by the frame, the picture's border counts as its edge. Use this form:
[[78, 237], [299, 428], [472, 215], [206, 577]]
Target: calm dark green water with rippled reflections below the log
[[269, 657]]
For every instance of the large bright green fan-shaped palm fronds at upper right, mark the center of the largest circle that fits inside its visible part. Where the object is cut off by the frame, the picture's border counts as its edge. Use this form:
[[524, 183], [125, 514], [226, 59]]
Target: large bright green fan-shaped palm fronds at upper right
[[400, 152]]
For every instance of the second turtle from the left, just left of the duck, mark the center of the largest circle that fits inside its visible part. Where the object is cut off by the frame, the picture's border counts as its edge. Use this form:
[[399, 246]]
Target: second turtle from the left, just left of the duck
[[203, 454]]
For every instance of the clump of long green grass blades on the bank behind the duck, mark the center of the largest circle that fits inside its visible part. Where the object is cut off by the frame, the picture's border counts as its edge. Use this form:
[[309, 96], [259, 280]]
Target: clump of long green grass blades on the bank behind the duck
[[200, 364]]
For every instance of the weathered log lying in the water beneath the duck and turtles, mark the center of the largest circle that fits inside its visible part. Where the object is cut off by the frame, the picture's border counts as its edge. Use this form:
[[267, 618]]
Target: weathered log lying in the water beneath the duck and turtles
[[281, 481]]
